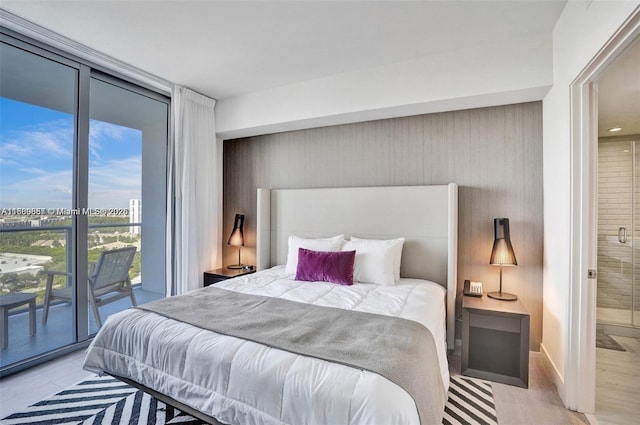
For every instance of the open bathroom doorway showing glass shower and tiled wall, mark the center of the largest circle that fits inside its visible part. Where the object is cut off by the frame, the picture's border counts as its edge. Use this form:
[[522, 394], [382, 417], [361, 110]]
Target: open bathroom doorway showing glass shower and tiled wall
[[618, 251]]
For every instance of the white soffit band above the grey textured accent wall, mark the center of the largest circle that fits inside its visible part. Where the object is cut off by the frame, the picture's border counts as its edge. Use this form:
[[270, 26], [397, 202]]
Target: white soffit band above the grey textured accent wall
[[513, 71]]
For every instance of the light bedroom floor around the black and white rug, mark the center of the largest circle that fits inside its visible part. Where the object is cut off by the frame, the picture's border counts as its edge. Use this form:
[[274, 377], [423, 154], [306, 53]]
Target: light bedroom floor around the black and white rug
[[539, 404]]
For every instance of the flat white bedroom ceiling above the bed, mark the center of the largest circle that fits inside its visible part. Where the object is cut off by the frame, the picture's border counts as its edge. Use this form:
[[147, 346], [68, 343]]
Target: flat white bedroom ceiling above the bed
[[228, 48]]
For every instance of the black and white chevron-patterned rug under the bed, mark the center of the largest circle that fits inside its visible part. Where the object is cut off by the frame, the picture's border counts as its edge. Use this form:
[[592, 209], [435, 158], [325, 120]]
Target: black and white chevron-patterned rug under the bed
[[105, 400]]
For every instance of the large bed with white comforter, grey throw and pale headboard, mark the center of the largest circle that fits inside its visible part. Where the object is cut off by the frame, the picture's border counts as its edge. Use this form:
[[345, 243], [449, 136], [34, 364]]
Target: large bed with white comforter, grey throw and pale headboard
[[222, 378]]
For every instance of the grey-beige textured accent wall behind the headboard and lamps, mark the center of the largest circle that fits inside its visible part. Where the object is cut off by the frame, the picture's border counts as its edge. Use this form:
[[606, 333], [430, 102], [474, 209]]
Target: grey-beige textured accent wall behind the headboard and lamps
[[494, 155]]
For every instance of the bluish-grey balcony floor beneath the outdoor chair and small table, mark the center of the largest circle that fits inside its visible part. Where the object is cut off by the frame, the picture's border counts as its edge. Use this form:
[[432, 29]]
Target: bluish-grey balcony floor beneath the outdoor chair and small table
[[58, 330]]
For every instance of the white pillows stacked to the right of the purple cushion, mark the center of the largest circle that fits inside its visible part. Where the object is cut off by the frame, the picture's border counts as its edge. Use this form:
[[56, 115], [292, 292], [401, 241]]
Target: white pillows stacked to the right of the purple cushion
[[375, 260]]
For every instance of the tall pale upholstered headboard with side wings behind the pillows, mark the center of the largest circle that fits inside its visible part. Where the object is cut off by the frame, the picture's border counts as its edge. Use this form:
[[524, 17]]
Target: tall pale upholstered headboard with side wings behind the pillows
[[426, 216]]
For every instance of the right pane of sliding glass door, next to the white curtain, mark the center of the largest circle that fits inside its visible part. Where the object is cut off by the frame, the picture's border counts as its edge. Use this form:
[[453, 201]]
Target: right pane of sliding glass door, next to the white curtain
[[124, 123]]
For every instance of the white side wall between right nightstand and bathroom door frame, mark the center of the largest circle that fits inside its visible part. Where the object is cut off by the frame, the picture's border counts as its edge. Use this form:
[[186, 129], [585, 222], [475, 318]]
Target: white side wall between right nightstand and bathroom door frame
[[582, 30]]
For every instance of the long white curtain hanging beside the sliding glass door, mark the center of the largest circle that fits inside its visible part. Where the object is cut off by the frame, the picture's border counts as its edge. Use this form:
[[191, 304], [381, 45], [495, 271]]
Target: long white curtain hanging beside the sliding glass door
[[194, 192]]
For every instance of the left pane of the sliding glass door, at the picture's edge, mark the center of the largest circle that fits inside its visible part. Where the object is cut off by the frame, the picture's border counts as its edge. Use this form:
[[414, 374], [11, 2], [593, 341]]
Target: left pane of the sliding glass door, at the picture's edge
[[38, 104]]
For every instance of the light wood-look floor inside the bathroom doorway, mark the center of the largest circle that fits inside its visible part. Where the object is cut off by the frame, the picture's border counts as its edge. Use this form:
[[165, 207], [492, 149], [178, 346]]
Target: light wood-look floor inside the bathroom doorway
[[618, 383]]
